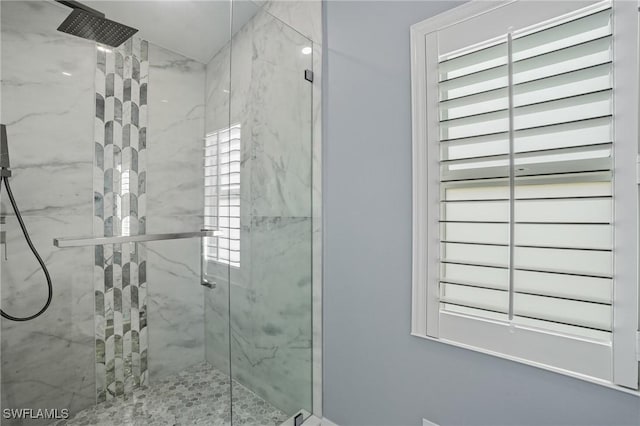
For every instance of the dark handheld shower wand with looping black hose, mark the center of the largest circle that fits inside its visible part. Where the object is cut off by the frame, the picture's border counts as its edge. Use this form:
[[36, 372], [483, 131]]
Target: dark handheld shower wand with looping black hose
[[5, 173]]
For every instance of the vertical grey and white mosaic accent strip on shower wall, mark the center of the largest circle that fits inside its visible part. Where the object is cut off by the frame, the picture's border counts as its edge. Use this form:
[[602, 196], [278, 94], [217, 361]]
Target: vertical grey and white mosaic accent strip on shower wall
[[120, 284]]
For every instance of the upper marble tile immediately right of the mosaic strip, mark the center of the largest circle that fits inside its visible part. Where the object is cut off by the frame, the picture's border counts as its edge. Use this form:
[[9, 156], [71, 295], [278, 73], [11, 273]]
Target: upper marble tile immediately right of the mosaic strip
[[175, 178]]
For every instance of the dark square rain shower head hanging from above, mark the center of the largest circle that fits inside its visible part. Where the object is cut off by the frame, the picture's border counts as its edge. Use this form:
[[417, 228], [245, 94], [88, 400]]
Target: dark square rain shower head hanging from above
[[90, 24]]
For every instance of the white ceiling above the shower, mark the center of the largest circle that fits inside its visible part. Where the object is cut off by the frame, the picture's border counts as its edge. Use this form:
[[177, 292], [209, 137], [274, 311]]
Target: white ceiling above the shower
[[197, 29]]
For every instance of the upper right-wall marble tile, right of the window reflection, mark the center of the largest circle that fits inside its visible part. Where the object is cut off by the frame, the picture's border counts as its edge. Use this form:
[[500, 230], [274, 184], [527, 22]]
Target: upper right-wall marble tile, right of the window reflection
[[281, 141]]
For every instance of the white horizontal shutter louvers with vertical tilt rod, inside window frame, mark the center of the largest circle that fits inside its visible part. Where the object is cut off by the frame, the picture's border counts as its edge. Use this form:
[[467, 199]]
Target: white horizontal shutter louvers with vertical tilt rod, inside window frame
[[526, 140]]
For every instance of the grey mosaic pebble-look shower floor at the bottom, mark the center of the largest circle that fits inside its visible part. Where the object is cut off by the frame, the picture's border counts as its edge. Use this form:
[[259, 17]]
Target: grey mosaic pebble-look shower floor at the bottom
[[198, 395]]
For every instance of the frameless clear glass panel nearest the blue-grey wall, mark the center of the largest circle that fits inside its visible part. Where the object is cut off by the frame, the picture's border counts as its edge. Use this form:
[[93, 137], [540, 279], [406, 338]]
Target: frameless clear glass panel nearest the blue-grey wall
[[270, 284]]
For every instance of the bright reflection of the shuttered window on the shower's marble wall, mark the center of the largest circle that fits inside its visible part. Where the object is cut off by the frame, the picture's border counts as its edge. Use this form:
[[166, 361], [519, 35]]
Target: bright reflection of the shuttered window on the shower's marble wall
[[222, 195]]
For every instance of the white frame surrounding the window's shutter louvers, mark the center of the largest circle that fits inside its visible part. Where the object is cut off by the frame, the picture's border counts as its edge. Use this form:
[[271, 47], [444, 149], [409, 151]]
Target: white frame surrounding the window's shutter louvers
[[611, 365]]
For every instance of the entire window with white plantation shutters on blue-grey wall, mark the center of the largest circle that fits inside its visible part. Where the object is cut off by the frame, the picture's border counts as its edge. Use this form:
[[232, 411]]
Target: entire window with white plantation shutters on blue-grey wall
[[525, 196]]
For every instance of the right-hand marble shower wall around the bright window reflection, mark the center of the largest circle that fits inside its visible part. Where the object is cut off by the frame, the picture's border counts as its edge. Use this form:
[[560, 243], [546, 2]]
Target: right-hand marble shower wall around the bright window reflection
[[271, 291]]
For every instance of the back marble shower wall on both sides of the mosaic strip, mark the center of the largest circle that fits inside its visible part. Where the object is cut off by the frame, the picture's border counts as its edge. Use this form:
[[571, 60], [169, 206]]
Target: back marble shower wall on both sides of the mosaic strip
[[48, 104]]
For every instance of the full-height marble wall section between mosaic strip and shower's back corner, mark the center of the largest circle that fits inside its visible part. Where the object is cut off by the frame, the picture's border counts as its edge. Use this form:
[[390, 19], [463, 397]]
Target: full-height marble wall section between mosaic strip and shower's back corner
[[175, 193]]
